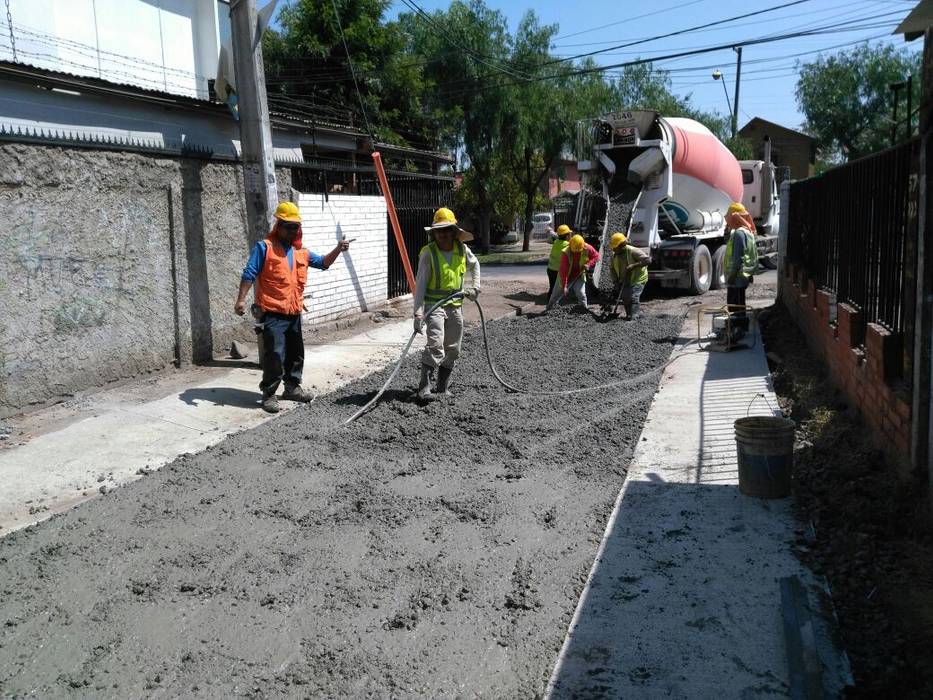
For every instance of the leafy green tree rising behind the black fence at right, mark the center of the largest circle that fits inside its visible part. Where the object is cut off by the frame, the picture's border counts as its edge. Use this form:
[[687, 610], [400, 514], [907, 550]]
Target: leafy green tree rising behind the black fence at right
[[848, 103]]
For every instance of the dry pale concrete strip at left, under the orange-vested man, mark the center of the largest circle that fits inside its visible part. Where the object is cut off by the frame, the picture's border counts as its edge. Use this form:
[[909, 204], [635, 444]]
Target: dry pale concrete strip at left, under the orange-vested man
[[124, 434]]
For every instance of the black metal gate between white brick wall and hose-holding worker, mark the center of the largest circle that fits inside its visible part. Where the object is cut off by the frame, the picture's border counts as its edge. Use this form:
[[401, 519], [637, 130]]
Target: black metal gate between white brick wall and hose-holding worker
[[416, 198]]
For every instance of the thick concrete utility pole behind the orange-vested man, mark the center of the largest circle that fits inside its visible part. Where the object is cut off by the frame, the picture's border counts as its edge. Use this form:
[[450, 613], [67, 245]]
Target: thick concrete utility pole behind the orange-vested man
[[255, 131]]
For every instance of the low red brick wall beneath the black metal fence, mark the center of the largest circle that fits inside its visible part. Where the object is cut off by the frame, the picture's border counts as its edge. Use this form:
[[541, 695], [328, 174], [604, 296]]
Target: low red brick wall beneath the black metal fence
[[866, 375]]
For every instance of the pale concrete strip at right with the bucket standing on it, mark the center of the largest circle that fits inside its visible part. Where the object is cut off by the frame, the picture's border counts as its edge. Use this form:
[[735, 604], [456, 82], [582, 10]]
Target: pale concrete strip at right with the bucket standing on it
[[683, 599]]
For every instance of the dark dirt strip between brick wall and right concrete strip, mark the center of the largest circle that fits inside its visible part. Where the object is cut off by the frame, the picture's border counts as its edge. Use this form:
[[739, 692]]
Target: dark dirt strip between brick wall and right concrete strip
[[870, 534]]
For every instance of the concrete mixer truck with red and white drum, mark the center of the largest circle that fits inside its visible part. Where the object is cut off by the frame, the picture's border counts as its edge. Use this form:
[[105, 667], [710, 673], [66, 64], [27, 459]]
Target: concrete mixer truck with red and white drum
[[666, 183]]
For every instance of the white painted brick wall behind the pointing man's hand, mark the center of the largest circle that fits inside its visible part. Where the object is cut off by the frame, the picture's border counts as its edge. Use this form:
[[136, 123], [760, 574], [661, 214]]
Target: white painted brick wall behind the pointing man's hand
[[358, 278]]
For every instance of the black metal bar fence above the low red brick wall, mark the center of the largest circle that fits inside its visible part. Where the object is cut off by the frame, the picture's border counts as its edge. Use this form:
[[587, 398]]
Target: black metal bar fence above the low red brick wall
[[852, 229]]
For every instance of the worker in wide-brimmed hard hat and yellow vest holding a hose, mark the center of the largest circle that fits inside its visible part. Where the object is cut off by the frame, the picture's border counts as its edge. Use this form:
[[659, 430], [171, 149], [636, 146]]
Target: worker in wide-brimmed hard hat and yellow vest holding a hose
[[442, 265]]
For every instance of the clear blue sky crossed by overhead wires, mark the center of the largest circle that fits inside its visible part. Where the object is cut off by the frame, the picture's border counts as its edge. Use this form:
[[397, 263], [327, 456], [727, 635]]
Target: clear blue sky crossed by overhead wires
[[768, 70]]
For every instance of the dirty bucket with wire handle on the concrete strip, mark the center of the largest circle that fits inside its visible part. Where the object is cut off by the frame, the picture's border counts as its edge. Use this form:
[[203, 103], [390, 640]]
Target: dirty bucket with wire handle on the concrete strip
[[765, 446]]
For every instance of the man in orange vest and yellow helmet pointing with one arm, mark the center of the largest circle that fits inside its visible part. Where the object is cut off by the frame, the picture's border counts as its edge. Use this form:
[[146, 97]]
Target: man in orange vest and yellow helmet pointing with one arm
[[279, 267]]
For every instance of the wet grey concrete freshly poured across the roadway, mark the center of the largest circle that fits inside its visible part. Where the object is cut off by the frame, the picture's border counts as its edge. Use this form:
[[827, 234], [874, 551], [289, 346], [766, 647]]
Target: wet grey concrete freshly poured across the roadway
[[432, 551]]
